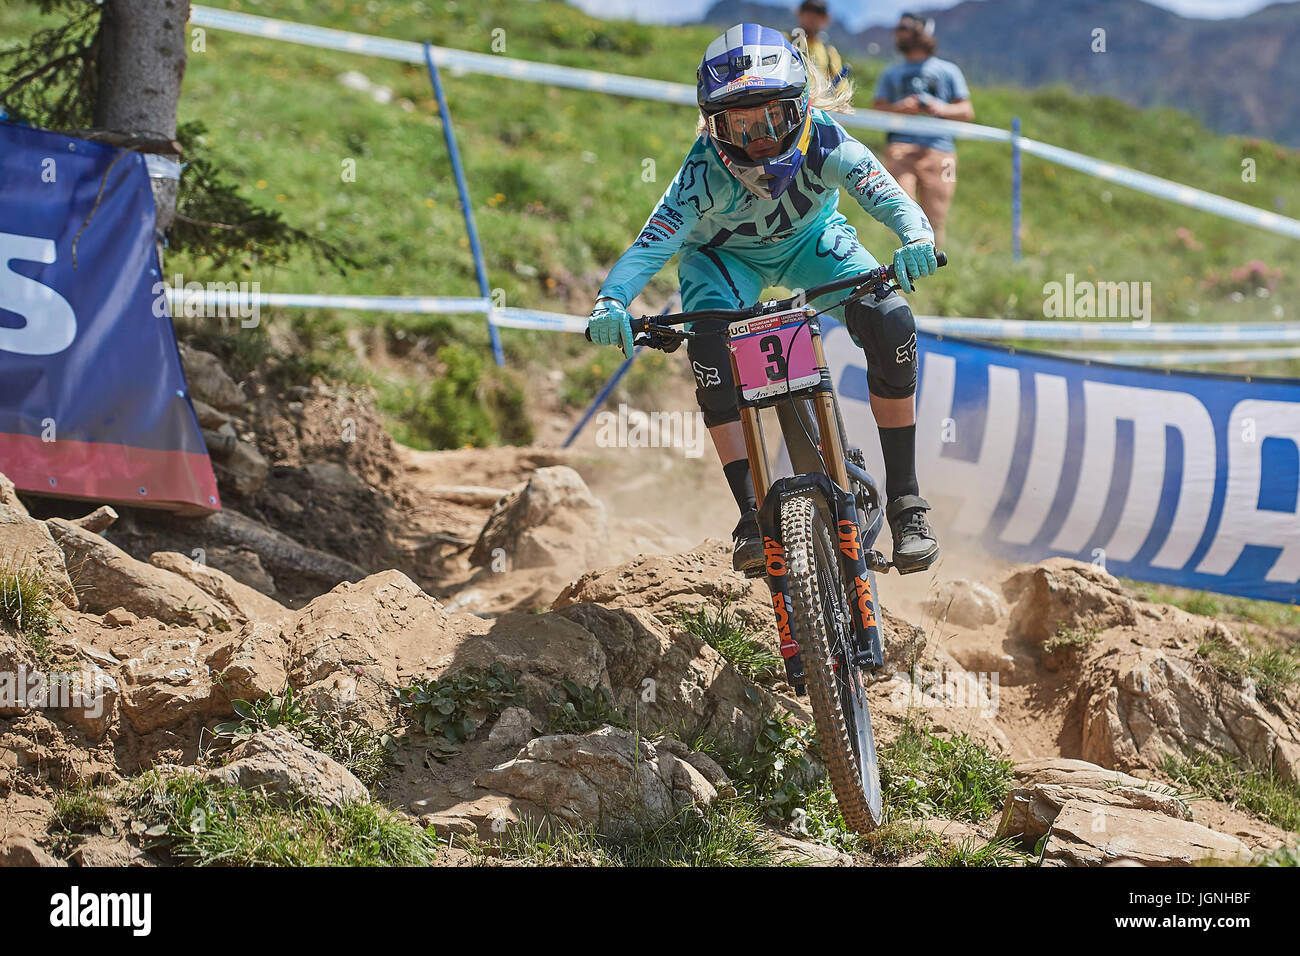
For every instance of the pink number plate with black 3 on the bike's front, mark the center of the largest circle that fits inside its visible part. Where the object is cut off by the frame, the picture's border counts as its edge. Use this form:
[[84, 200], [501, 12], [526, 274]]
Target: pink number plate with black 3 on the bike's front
[[774, 354]]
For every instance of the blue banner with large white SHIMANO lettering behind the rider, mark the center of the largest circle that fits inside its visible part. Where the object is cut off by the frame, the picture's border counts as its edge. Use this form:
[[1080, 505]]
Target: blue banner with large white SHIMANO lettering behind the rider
[[1182, 479]]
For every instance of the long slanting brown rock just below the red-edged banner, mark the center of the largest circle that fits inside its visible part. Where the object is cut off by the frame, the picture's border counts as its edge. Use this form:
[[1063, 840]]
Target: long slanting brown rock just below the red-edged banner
[[109, 578]]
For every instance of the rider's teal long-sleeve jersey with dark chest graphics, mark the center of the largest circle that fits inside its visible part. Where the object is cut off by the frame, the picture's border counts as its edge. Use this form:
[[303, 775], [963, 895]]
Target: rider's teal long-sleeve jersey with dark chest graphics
[[708, 206]]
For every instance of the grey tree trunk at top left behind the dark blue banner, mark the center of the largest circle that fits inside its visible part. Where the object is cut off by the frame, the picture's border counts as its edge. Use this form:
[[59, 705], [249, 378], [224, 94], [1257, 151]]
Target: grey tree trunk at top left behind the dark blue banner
[[142, 55]]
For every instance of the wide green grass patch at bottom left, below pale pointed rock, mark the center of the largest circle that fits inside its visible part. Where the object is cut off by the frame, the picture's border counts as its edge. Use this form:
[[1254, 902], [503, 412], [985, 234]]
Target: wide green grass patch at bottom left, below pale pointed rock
[[201, 825]]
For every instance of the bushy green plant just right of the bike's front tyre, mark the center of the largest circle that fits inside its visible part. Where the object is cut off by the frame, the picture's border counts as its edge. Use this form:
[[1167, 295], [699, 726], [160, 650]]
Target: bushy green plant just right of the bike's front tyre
[[928, 776]]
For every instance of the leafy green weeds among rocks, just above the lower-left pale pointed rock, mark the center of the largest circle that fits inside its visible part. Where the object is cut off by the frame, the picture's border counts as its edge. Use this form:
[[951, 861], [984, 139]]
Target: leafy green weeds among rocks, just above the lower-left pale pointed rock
[[354, 745]]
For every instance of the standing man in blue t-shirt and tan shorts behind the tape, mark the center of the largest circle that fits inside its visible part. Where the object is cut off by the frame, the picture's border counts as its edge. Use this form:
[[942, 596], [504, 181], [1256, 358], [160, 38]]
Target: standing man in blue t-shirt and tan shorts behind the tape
[[922, 84]]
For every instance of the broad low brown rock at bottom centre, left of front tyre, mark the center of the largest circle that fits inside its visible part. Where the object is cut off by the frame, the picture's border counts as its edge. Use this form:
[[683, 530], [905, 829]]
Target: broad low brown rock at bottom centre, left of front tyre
[[608, 780]]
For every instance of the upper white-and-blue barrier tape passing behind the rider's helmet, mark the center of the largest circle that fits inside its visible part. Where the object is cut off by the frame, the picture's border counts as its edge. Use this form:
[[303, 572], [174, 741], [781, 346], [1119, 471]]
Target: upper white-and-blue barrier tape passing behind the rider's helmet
[[683, 94]]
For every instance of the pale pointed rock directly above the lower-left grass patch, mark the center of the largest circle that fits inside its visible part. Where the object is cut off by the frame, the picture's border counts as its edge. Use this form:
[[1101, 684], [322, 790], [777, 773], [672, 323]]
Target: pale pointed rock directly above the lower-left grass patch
[[279, 764]]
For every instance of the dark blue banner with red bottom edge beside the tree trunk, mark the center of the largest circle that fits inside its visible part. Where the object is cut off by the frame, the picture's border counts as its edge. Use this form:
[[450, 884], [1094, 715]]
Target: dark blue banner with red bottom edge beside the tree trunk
[[93, 400]]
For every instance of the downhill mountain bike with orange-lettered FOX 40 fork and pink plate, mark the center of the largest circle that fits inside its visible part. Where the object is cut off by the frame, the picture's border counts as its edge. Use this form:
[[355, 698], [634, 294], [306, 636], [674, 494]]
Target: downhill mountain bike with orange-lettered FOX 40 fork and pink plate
[[818, 525]]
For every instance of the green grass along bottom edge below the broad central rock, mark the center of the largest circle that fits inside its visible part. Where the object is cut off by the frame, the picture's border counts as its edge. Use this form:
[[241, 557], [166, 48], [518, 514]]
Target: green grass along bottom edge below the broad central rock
[[727, 833]]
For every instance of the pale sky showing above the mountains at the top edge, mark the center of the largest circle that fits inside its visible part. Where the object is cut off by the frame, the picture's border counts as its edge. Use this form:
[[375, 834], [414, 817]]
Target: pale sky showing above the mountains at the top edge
[[860, 14]]
